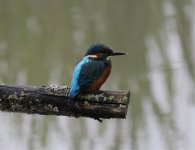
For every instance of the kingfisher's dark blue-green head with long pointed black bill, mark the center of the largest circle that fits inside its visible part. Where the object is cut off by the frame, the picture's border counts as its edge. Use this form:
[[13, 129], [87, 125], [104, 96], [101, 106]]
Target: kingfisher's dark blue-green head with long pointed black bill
[[100, 50]]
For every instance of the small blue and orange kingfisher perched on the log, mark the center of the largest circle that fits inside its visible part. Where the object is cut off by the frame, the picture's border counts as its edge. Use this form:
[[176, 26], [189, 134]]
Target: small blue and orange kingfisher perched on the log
[[92, 70]]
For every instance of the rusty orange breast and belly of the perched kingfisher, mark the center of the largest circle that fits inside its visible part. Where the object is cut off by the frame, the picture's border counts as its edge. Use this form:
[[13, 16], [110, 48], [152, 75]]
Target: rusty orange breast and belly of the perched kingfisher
[[98, 83]]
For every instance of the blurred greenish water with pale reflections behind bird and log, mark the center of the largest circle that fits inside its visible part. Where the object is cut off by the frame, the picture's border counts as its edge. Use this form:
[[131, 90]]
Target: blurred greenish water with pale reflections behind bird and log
[[40, 41]]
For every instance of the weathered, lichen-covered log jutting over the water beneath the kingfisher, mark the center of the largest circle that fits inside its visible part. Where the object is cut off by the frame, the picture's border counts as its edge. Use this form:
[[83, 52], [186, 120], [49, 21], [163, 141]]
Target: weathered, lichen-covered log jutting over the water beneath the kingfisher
[[52, 100]]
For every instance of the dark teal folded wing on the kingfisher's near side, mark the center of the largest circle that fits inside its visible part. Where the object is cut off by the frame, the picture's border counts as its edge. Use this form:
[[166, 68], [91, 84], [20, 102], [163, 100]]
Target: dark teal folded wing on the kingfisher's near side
[[89, 73]]
